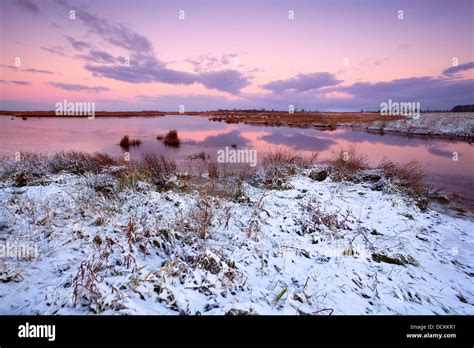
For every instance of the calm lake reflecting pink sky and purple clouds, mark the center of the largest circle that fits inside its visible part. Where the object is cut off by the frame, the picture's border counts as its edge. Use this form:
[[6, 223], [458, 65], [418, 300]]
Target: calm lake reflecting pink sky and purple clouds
[[197, 133]]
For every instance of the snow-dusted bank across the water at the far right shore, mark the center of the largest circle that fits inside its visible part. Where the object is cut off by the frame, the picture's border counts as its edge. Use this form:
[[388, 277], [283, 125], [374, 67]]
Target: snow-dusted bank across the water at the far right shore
[[442, 124]]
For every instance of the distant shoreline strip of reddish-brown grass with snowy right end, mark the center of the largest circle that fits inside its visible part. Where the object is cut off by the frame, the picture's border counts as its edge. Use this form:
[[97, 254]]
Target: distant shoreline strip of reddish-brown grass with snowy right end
[[448, 125]]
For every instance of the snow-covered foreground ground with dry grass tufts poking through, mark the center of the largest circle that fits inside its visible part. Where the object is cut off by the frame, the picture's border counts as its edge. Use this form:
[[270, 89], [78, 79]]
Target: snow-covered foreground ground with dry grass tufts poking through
[[316, 247]]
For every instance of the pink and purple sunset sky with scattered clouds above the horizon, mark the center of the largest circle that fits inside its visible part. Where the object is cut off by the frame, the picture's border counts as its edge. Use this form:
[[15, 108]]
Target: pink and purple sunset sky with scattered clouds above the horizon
[[243, 54]]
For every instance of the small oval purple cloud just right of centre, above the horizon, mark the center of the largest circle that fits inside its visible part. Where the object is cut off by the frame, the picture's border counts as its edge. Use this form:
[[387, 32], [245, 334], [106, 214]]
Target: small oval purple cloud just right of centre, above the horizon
[[303, 82]]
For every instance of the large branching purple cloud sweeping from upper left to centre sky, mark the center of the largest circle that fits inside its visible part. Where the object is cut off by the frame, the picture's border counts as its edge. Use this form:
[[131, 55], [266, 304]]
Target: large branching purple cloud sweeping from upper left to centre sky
[[144, 66]]
